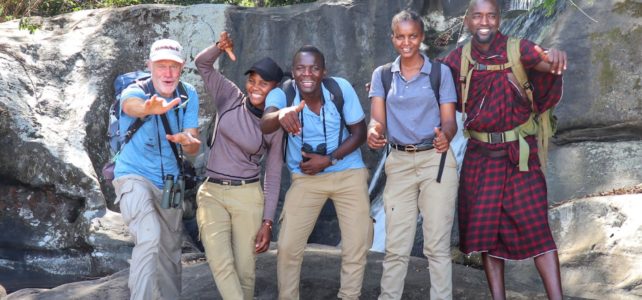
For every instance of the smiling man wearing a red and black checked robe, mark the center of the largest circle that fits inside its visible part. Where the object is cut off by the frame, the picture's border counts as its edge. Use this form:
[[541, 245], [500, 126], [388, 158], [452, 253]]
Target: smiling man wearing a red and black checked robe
[[503, 212]]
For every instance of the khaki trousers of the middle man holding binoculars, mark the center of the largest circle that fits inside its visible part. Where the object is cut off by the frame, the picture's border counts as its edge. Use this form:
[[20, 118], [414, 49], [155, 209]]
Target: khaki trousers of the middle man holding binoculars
[[303, 203]]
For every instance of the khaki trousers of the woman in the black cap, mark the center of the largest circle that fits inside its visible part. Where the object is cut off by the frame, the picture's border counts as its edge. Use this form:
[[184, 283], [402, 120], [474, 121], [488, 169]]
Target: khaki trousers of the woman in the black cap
[[228, 219]]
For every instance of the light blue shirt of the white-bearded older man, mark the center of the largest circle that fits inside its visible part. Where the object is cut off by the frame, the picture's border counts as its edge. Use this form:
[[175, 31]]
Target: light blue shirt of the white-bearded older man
[[141, 156]]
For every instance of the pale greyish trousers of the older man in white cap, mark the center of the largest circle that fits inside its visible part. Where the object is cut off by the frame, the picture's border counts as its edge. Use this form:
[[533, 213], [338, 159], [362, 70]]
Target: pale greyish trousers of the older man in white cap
[[155, 267]]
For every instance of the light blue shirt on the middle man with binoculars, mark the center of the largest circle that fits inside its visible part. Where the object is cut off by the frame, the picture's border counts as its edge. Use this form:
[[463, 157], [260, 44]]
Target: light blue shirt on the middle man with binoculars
[[313, 126]]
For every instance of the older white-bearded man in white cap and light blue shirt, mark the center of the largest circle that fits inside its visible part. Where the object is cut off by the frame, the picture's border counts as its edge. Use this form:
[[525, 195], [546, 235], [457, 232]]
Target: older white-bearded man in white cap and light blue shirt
[[146, 161]]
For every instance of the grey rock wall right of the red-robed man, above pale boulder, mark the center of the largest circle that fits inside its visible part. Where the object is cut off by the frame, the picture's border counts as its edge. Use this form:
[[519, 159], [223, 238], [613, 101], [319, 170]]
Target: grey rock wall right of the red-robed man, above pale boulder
[[599, 128]]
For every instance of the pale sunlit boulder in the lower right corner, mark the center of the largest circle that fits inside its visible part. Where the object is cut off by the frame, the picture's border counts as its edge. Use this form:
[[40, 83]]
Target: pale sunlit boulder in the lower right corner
[[599, 246]]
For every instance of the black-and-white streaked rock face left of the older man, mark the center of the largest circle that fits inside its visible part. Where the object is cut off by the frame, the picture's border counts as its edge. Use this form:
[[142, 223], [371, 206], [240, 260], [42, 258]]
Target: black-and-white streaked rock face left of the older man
[[53, 115]]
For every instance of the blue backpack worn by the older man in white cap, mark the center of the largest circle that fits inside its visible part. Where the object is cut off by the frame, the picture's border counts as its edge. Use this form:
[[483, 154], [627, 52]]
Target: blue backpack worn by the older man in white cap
[[117, 138]]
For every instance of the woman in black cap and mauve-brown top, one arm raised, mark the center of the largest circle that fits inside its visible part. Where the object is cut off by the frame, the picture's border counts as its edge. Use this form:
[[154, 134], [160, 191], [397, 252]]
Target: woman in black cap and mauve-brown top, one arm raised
[[234, 217]]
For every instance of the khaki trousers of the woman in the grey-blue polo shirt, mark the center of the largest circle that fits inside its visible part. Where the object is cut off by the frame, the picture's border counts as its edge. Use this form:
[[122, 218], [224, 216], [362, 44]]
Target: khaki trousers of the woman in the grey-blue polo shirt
[[411, 188]]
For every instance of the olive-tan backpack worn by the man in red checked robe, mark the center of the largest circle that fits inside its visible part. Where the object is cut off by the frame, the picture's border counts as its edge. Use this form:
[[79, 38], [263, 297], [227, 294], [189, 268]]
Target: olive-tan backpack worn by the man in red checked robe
[[541, 124]]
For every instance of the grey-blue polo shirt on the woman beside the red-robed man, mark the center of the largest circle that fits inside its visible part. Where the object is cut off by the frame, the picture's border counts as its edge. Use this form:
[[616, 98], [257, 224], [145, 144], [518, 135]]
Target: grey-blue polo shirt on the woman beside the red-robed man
[[412, 112]]
